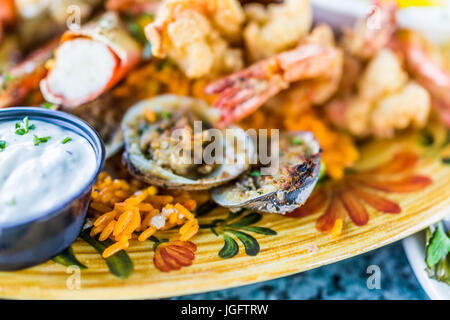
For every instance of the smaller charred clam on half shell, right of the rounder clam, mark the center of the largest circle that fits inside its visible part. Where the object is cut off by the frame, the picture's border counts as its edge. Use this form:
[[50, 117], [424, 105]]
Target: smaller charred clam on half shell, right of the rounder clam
[[283, 191]]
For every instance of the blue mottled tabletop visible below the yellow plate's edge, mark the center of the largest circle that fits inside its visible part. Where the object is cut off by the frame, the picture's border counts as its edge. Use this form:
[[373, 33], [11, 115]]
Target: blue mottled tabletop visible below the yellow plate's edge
[[342, 280]]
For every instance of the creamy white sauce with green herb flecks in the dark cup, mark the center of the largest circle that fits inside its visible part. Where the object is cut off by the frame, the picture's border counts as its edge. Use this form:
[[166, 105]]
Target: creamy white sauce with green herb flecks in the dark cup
[[40, 169]]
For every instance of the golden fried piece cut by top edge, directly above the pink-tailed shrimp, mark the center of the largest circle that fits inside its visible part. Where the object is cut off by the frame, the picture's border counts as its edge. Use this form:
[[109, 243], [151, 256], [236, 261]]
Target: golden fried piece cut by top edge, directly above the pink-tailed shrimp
[[276, 27]]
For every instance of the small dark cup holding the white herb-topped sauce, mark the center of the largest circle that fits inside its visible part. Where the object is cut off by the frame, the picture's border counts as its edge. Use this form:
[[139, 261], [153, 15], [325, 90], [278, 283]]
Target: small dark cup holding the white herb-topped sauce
[[32, 242]]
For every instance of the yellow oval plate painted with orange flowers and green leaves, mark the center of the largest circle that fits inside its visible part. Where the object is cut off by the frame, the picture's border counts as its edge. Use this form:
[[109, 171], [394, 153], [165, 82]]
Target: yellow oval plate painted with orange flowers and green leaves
[[398, 188]]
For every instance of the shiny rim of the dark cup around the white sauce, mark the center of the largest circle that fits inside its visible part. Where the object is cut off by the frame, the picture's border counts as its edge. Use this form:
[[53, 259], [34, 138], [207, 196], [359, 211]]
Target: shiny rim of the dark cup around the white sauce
[[89, 133]]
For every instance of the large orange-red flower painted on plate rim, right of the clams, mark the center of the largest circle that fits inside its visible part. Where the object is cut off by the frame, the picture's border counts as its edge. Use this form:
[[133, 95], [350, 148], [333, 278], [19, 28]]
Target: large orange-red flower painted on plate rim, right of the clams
[[349, 196]]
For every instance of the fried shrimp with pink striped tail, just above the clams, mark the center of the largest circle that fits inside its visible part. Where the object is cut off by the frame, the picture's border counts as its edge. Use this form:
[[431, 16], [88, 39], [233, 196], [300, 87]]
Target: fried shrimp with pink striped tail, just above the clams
[[315, 64]]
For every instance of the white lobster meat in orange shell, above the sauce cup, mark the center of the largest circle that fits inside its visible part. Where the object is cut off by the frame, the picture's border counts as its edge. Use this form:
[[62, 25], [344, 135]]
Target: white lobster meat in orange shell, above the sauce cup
[[90, 61]]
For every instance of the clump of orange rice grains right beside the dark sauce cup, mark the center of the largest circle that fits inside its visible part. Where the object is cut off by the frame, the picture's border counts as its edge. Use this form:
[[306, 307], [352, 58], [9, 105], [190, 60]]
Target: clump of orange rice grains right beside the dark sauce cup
[[125, 210]]
